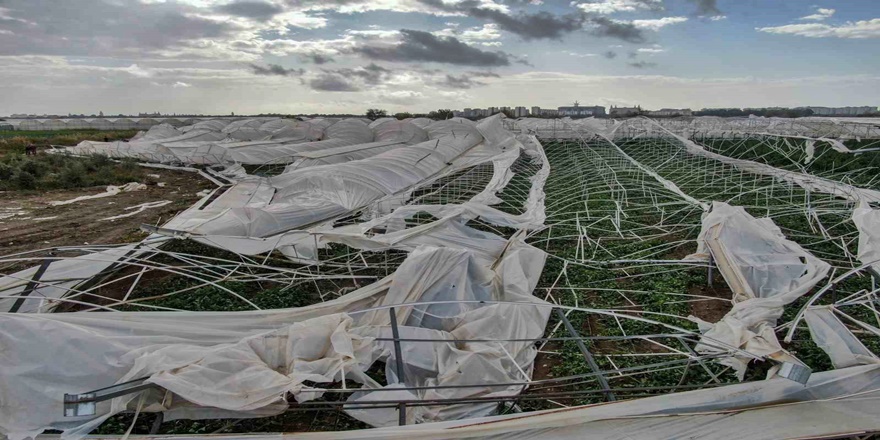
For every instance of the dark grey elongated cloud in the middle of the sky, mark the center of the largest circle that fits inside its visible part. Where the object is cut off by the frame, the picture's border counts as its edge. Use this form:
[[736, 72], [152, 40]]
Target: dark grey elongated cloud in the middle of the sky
[[426, 47]]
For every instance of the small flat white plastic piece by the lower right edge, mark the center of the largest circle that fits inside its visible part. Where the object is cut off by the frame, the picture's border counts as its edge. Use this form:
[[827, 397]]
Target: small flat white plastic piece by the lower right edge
[[837, 341]]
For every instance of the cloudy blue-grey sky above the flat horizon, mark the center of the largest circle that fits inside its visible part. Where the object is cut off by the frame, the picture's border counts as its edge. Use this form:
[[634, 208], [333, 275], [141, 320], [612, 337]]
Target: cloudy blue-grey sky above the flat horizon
[[344, 56]]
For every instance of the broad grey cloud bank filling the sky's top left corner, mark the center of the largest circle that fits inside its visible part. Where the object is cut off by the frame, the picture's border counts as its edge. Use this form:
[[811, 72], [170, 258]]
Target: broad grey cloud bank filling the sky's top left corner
[[102, 27]]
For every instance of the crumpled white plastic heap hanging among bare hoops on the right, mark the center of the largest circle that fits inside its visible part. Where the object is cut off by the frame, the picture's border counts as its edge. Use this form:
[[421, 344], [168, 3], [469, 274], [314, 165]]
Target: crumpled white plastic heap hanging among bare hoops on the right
[[765, 271]]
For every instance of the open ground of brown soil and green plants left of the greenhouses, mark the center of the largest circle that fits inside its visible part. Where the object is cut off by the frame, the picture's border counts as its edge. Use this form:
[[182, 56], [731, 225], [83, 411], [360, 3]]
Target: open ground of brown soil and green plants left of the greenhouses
[[28, 183]]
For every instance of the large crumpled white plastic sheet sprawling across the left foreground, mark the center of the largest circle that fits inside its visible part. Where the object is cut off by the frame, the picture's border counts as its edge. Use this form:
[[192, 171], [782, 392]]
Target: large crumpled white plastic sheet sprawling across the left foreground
[[246, 361]]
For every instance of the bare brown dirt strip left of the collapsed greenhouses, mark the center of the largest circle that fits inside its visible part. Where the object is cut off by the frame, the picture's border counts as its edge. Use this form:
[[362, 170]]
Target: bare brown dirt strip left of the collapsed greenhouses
[[29, 222]]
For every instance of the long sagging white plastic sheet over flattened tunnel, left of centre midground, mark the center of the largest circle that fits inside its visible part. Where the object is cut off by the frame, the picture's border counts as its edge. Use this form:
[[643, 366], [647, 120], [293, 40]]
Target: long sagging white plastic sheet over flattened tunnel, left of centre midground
[[306, 196]]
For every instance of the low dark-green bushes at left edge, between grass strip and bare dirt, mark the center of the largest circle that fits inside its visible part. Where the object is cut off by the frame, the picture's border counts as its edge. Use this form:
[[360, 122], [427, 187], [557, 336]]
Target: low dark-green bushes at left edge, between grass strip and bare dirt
[[61, 171]]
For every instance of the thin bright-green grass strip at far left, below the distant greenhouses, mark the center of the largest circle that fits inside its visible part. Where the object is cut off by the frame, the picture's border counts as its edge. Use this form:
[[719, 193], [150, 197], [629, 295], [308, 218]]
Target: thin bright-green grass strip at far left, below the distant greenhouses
[[12, 142]]
